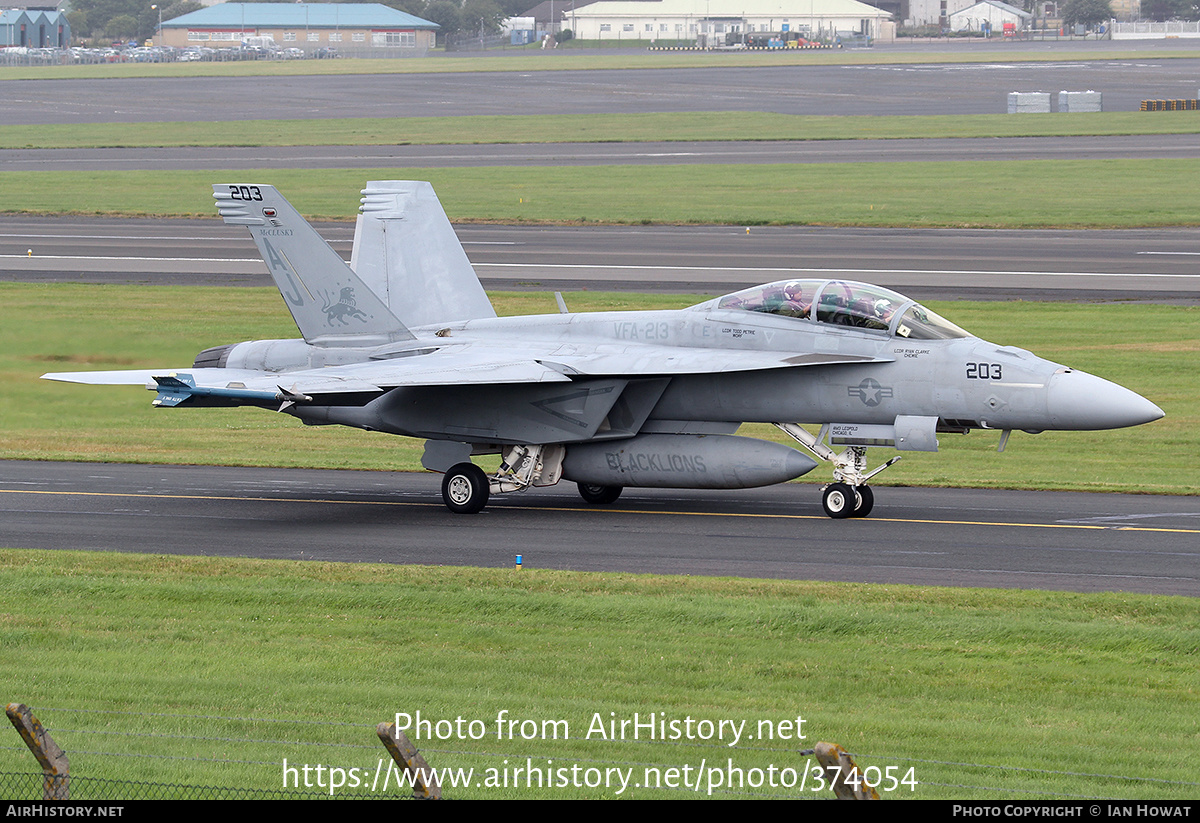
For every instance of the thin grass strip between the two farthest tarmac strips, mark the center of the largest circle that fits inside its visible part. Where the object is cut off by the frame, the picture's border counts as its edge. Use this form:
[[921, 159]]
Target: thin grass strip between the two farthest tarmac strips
[[587, 129]]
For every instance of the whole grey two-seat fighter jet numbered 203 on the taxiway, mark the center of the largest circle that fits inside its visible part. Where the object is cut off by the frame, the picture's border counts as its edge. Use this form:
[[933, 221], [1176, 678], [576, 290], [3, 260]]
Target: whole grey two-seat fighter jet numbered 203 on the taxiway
[[404, 340]]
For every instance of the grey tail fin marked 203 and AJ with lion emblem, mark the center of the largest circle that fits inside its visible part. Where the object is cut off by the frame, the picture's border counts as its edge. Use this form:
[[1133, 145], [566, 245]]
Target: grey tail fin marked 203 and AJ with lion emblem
[[331, 304]]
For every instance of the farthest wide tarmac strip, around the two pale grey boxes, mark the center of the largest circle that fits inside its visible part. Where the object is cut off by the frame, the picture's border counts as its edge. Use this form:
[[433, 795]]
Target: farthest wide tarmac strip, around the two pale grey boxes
[[977, 88]]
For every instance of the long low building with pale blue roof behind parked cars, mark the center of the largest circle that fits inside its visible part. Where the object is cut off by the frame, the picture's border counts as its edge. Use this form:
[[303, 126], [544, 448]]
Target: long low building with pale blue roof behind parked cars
[[349, 28]]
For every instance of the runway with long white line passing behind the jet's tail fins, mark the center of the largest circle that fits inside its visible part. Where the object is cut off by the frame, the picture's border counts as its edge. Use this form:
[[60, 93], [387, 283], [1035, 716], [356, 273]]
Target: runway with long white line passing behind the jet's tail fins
[[1161, 266]]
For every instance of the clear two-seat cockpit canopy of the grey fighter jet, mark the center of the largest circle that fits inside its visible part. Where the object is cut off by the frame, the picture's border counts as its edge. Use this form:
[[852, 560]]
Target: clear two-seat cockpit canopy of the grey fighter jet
[[845, 304]]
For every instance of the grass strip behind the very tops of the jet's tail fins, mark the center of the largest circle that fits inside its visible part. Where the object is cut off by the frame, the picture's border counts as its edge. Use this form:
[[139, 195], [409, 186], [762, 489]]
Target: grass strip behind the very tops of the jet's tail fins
[[1001, 195]]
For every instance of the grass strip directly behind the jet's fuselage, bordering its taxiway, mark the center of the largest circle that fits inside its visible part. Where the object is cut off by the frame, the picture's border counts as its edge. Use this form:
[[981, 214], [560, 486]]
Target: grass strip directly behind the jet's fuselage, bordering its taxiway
[[79, 328]]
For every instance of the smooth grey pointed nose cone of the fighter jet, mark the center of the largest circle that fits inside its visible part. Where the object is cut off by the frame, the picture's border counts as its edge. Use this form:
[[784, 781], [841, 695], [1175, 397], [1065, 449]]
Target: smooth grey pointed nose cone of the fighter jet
[[1084, 403]]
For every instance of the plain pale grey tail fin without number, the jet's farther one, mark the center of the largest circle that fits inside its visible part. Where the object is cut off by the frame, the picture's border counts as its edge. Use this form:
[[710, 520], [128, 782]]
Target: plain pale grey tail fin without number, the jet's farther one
[[407, 253]]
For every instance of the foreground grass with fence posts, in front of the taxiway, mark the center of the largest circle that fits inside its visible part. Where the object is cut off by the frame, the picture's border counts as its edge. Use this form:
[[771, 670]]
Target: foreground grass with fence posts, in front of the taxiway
[[211, 672]]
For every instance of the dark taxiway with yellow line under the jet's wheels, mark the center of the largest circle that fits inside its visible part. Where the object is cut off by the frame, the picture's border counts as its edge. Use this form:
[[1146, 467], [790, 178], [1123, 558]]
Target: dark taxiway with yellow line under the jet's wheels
[[1078, 543]]
